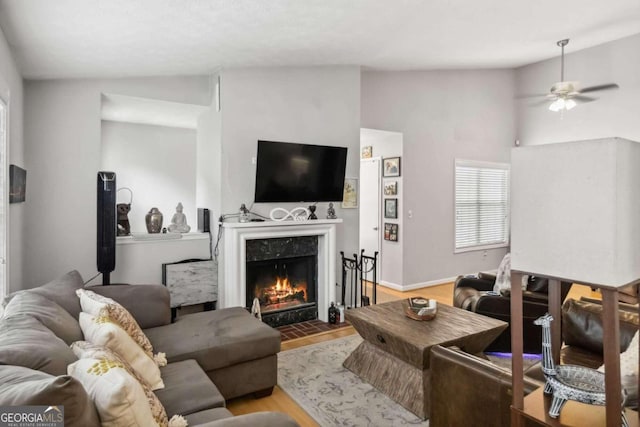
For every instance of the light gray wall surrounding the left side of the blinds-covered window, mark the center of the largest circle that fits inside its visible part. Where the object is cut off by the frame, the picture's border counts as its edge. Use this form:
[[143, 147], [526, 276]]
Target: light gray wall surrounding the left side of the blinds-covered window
[[443, 115]]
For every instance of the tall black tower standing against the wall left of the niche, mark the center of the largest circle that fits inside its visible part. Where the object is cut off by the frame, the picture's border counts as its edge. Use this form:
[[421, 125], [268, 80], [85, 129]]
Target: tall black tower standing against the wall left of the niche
[[106, 224]]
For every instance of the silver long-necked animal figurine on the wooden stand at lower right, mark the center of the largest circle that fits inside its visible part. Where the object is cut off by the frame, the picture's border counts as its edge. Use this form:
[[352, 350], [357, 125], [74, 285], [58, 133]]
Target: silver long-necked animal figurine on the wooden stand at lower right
[[570, 382]]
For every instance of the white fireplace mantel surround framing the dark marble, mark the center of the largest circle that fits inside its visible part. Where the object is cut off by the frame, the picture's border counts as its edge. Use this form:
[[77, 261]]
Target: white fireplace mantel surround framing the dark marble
[[231, 290]]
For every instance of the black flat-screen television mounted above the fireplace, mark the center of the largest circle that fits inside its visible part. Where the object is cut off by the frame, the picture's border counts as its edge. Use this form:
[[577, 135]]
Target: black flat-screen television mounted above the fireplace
[[288, 172]]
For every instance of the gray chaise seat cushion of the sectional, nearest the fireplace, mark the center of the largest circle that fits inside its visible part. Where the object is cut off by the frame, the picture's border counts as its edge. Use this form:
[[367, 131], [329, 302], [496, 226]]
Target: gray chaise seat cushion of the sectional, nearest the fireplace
[[216, 339]]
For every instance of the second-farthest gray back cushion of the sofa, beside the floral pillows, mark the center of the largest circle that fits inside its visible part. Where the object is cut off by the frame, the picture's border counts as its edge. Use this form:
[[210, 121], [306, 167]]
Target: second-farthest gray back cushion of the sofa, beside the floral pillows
[[49, 313]]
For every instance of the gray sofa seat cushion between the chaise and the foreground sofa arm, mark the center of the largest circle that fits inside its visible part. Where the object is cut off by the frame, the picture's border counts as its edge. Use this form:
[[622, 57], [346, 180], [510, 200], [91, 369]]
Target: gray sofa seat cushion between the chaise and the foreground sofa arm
[[187, 389]]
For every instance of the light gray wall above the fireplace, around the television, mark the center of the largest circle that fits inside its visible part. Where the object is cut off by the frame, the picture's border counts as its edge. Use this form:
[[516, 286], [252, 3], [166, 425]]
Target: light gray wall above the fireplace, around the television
[[315, 105]]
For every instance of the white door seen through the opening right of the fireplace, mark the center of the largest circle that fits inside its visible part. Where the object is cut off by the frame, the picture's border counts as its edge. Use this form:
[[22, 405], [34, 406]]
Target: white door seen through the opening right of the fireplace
[[370, 207]]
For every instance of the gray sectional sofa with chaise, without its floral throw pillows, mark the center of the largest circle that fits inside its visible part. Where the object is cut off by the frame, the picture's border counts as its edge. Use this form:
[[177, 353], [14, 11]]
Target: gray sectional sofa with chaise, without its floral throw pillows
[[213, 356]]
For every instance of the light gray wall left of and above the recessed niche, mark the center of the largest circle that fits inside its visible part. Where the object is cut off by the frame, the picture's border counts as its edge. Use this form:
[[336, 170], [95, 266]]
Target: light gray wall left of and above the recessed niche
[[63, 154]]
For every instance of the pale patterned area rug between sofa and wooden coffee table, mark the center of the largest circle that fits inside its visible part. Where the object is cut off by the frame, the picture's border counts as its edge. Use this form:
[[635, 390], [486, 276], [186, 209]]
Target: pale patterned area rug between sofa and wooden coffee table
[[313, 376]]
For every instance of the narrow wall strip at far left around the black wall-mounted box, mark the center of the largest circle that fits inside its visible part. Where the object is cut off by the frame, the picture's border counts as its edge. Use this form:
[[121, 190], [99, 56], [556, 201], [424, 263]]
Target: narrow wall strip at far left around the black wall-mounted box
[[11, 91]]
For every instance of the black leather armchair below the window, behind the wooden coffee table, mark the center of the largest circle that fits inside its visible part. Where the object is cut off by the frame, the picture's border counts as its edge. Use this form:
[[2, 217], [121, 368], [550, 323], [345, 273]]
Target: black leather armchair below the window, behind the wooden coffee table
[[471, 293]]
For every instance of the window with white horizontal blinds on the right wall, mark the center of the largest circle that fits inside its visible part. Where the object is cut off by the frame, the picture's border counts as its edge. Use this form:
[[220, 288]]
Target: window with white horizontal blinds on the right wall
[[482, 205]]
